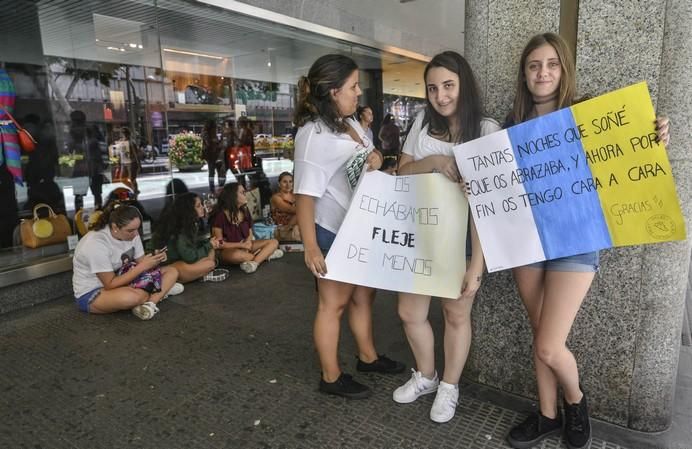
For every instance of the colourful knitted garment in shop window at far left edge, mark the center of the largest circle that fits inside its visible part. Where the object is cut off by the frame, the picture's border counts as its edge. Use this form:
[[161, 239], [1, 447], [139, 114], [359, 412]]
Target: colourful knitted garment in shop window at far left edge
[[10, 151]]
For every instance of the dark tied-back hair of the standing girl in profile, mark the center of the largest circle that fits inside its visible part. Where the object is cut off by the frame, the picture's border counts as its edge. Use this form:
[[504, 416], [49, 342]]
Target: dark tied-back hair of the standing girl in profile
[[314, 99]]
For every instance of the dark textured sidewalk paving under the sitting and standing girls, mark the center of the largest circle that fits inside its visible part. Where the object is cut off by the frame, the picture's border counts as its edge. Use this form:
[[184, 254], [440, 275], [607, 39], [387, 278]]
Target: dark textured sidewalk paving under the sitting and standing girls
[[232, 365]]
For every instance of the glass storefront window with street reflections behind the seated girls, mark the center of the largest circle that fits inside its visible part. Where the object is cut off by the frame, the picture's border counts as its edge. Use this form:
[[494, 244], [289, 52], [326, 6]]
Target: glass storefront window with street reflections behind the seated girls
[[118, 95]]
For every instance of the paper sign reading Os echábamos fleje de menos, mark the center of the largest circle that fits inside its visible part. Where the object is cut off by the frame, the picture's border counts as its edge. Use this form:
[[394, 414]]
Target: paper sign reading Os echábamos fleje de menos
[[403, 233]]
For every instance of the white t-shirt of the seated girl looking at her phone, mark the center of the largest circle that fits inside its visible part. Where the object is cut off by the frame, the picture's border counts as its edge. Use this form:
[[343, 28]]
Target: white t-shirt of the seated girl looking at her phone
[[100, 252]]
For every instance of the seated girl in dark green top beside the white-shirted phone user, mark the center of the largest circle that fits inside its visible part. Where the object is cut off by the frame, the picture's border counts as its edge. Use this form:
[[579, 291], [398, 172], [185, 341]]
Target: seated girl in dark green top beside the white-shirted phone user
[[189, 250]]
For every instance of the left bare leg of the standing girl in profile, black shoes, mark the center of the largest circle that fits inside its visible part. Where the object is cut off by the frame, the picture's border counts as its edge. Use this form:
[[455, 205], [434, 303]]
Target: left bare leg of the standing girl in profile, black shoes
[[333, 298]]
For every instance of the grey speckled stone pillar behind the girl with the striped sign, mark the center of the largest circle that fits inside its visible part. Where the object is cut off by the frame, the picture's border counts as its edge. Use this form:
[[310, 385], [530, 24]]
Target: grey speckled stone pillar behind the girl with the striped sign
[[627, 335]]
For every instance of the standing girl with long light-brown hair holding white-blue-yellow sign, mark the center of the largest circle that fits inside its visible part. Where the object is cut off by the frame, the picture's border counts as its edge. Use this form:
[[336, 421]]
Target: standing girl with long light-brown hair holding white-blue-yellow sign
[[553, 290]]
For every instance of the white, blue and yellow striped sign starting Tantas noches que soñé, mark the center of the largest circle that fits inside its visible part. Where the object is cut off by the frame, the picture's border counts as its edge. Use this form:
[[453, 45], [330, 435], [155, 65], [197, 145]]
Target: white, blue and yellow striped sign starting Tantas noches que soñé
[[580, 179]]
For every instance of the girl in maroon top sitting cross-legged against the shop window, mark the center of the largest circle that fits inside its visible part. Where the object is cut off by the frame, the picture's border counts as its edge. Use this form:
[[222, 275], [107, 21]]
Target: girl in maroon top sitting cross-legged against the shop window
[[231, 224]]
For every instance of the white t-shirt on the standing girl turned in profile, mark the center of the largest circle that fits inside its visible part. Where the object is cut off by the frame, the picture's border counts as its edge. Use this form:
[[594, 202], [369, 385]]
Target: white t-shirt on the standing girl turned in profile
[[321, 160]]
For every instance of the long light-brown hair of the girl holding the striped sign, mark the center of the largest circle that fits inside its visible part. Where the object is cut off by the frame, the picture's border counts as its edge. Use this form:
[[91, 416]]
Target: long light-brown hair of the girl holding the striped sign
[[523, 100]]
